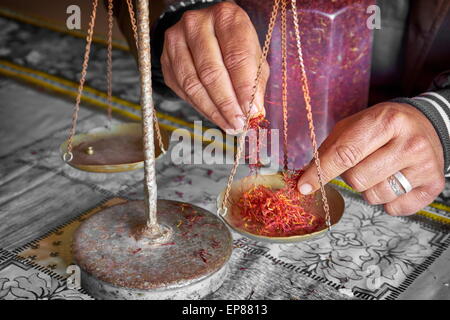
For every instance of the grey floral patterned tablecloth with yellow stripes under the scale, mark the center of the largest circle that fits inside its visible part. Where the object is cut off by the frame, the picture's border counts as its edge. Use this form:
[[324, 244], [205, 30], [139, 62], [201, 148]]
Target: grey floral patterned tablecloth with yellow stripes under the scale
[[42, 200]]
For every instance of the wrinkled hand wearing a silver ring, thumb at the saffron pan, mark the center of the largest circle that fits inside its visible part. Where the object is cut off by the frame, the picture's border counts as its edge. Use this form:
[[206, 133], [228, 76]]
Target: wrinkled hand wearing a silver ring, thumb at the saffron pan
[[368, 147]]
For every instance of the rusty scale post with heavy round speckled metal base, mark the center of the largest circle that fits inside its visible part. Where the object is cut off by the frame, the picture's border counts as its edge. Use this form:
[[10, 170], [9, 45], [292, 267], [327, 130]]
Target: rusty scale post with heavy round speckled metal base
[[151, 249]]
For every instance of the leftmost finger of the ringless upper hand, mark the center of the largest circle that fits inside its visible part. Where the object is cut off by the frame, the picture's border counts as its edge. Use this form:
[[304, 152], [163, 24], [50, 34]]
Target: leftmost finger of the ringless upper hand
[[181, 76]]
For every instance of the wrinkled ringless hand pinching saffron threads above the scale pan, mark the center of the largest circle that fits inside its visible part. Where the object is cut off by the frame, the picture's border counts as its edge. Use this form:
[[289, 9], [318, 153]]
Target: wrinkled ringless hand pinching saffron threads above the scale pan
[[210, 59]]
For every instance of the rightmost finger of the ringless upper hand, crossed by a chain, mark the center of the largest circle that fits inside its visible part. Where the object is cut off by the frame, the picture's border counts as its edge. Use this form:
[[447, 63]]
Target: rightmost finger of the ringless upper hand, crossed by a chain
[[241, 53]]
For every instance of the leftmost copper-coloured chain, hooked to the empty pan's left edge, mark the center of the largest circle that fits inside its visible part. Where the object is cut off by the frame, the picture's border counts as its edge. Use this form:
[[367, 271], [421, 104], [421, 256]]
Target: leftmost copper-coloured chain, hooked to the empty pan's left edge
[[68, 156]]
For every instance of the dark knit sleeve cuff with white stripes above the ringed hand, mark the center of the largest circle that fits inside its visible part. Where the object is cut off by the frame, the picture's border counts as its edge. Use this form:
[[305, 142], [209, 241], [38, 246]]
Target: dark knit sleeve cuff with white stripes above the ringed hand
[[435, 105]]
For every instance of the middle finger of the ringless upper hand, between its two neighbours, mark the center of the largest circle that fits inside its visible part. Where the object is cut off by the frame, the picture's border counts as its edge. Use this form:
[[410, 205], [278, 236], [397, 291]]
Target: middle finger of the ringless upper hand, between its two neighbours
[[208, 61]]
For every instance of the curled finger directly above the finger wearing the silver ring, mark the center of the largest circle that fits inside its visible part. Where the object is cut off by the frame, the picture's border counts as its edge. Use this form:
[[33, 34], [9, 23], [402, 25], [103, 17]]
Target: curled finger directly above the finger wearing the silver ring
[[378, 166]]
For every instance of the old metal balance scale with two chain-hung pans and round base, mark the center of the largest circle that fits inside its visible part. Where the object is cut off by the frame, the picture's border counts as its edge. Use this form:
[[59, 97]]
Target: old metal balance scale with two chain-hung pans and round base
[[154, 249]]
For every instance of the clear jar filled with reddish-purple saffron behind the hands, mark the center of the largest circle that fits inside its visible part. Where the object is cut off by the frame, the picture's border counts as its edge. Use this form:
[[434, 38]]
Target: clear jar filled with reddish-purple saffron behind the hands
[[336, 44]]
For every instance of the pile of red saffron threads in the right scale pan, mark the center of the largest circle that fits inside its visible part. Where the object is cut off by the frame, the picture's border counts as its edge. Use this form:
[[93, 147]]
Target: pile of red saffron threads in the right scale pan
[[280, 212]]
